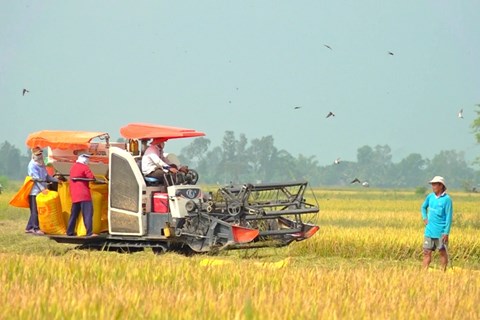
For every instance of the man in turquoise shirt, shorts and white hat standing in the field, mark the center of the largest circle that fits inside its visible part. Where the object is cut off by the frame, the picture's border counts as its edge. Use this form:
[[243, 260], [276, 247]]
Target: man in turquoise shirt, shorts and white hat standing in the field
[[437, 211]]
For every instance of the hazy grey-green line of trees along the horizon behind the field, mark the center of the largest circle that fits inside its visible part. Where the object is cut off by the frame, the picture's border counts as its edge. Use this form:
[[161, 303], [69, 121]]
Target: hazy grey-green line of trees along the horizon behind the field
[[238, 160]]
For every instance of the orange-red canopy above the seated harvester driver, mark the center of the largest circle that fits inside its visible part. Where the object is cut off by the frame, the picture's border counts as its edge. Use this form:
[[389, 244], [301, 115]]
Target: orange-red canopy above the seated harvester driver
[[149, 131]]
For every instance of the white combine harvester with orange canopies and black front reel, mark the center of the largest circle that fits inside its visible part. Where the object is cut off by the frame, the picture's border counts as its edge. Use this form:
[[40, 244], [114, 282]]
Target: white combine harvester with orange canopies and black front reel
[[142, 212]]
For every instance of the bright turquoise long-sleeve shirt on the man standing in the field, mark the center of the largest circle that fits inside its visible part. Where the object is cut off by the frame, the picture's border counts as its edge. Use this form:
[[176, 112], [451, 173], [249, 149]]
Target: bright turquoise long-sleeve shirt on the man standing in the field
[[438, 211]]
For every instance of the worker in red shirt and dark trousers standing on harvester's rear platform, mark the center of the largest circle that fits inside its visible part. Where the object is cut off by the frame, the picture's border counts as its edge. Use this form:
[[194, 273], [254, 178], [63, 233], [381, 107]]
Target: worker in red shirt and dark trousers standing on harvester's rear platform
[[80, 175]]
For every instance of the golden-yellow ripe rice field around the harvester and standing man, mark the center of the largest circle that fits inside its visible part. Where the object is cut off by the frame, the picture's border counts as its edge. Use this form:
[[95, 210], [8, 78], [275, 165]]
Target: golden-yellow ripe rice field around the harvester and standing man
[[364, 263]]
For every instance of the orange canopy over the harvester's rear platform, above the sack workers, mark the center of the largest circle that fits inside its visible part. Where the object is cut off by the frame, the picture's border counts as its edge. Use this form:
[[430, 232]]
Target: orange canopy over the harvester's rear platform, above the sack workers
[[66, 140]]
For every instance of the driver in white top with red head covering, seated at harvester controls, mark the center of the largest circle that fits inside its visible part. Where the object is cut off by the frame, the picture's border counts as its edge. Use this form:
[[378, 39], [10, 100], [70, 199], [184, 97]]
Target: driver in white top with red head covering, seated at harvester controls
[[156, 165]]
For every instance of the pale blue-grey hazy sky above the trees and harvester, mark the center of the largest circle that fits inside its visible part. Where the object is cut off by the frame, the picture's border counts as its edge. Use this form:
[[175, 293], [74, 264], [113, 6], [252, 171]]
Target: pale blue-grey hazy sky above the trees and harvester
[[243, 66]]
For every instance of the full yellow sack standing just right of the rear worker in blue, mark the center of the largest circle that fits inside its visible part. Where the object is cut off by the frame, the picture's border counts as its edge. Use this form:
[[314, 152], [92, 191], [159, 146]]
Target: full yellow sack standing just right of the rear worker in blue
[[50, 216]]
